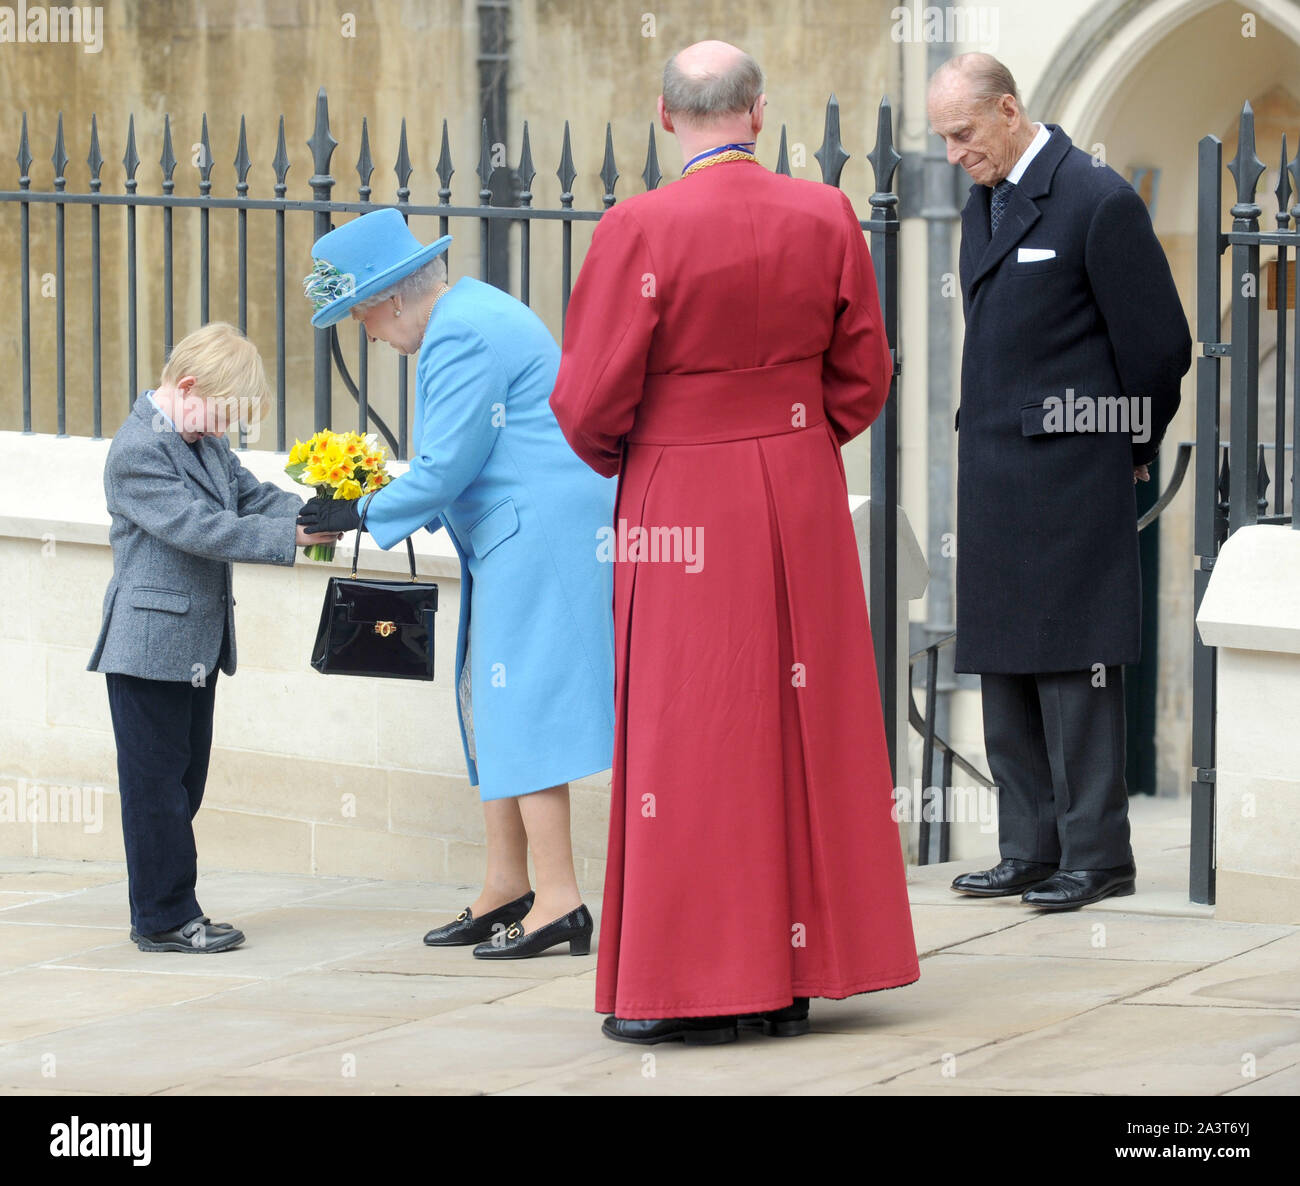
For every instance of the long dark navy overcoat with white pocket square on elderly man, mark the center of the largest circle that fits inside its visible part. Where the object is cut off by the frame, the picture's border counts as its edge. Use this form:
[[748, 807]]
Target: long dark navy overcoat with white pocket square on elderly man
[[1073, 324]]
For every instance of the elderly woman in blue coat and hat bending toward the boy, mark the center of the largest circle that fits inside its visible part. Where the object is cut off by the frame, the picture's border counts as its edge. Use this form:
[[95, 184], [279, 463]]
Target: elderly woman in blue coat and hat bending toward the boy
[[535, 652]]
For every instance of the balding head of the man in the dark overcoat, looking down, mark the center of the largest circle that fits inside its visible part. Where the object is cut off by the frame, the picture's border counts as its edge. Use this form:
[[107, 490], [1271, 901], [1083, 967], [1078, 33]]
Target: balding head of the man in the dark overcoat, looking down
[[976, 107]]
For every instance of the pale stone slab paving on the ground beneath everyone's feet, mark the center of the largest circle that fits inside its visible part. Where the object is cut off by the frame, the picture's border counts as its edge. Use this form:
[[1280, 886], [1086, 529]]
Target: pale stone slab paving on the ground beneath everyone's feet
[[336, 995]]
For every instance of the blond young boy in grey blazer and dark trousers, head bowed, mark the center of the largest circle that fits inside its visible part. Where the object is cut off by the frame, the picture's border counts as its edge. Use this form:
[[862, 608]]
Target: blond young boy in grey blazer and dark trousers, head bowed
[[183, 509]]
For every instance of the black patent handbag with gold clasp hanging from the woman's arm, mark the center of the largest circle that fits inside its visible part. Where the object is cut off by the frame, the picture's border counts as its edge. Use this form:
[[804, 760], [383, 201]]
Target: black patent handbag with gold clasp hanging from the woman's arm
[[382, 629]]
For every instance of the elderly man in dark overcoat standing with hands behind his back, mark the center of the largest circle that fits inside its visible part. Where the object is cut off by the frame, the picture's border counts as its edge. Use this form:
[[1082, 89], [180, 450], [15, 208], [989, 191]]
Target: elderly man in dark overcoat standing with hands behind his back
[[1076, 345]]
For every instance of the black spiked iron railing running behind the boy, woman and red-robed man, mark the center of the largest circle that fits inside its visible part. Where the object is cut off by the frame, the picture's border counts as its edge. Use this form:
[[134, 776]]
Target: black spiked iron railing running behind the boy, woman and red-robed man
[[327, 354]]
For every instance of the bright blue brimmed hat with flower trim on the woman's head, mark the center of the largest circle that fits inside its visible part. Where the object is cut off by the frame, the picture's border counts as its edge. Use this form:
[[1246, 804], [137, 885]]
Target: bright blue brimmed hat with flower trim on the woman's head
[[361, 259]]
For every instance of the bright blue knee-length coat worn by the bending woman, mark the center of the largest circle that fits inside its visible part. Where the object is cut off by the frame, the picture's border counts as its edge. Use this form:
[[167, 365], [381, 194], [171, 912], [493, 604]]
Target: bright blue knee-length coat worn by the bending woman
[[489, 465]]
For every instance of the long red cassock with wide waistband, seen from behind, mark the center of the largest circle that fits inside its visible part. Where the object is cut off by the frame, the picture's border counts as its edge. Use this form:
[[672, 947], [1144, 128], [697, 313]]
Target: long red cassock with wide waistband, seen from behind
[[723, 341]]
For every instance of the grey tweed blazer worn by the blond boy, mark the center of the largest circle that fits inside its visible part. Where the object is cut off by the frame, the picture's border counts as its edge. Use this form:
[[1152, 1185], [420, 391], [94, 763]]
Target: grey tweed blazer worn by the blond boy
[[180, 517]]
